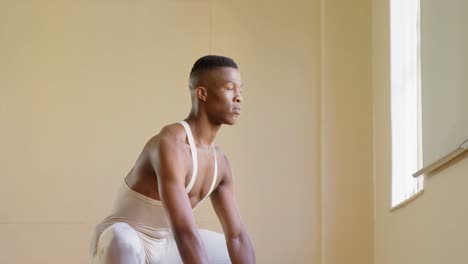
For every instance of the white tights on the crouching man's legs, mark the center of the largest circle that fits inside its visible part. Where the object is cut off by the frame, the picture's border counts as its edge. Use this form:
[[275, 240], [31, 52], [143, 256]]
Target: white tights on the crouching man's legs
[[121, 244]]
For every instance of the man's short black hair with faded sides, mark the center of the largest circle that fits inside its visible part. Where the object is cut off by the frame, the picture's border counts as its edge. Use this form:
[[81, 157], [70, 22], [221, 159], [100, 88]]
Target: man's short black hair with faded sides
[[207, 63]]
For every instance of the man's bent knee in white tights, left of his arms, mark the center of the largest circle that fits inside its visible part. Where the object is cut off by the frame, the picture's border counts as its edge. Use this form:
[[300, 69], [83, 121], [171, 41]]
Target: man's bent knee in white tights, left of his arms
[[120, 237]]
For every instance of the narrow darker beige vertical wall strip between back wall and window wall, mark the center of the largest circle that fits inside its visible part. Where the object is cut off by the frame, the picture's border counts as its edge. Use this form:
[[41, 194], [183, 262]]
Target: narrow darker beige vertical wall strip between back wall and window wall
[[347, 183]]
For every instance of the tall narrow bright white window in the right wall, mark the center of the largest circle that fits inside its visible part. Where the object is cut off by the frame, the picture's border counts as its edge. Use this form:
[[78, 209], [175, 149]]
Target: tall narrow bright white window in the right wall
[[405, 99]]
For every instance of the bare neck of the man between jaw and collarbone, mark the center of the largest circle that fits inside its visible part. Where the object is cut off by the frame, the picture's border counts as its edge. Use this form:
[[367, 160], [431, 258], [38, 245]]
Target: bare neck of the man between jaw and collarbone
[[204, 132]]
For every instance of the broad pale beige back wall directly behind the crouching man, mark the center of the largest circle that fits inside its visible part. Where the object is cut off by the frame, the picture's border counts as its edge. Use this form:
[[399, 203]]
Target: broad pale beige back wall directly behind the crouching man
[[84, 84]]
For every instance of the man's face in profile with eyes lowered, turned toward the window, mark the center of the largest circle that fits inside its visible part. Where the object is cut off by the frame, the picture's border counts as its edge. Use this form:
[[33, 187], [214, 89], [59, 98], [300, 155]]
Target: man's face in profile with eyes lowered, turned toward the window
[[224, 95]]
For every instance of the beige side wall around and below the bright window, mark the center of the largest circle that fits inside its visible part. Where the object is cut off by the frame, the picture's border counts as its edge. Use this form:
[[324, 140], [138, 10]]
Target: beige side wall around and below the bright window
[[431, 229]]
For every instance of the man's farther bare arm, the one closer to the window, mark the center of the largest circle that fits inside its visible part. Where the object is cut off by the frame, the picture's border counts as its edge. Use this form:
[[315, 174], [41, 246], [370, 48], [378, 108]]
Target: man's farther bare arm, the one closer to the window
[[237, 239]]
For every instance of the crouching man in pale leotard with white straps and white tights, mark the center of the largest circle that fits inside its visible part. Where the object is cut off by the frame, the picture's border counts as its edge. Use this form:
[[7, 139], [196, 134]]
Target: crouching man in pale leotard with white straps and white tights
[[152, 217]]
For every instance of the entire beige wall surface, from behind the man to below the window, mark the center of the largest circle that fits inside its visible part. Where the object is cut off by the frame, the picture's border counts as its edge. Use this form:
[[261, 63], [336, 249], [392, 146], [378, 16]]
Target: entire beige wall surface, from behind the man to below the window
[[83, 85]]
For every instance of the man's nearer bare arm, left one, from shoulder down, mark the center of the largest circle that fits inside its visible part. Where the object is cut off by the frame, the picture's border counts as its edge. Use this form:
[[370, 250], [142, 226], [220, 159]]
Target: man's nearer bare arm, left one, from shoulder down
[[169, 165]]
